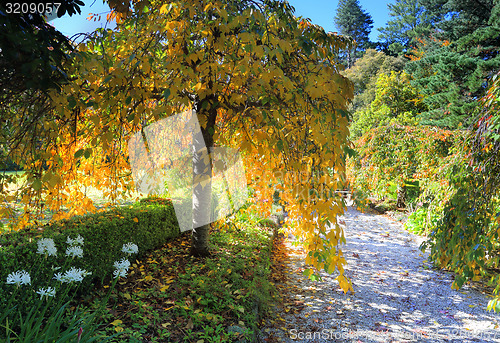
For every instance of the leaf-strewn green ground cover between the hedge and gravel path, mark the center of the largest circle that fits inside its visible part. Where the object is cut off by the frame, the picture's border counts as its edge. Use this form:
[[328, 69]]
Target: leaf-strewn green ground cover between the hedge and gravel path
[[170, 296]]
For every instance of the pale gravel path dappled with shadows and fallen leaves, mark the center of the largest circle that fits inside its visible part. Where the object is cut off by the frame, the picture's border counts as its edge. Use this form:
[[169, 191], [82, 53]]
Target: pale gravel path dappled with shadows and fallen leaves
[[398, 296]]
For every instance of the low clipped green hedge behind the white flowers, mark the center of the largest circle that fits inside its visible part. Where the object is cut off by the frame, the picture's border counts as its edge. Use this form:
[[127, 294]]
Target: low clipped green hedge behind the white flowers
[[149, 223]]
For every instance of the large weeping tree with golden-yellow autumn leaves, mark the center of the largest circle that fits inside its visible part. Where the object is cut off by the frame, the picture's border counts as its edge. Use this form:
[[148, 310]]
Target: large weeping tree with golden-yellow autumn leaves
[[257, 78]]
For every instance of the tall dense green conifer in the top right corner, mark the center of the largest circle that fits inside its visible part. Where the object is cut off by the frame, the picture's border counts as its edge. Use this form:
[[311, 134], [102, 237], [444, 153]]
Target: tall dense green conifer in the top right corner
[[453, 64]]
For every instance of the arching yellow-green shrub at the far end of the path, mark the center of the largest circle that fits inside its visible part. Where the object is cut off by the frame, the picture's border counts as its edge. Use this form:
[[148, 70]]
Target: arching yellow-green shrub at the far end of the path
[[399, 160]]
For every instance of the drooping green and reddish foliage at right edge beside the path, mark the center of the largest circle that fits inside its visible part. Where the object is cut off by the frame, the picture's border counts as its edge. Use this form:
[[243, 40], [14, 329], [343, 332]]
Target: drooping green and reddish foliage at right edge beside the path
[[465, 238]]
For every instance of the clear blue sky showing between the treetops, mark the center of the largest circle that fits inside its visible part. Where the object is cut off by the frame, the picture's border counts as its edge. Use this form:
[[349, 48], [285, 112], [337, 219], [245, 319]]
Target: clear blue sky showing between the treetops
[[321, 12]]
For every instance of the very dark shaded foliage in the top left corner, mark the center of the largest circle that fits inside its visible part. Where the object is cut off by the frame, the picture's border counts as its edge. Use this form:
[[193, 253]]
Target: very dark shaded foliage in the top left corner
[[31, 50]]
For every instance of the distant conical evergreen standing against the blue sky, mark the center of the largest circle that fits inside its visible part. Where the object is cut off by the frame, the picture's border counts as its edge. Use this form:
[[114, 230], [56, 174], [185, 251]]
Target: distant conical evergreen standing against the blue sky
[[352, 21]]
